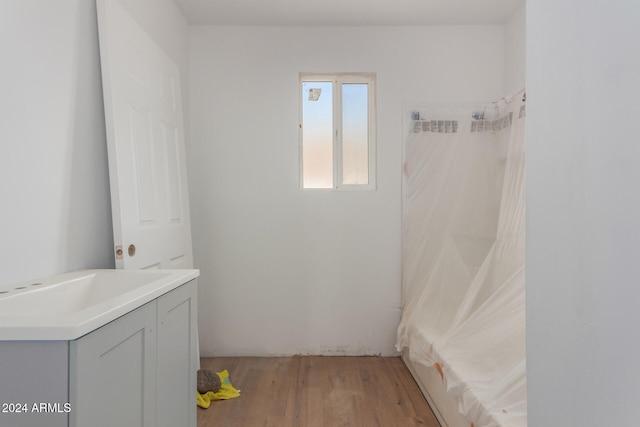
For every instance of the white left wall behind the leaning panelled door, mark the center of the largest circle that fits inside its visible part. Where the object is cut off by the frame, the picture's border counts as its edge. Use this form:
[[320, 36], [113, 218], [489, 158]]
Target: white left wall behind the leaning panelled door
[[56, 211]]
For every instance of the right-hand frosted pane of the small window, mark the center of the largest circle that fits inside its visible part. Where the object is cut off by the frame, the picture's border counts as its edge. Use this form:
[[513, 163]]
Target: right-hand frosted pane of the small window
[[355, 133]]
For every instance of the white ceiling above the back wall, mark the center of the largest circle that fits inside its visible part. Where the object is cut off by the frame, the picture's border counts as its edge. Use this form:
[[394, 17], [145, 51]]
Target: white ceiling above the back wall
[[347, 12]]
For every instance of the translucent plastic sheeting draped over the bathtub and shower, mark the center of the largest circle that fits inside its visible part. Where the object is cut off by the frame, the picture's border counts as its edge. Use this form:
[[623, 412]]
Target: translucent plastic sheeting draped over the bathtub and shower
[[463, 256]]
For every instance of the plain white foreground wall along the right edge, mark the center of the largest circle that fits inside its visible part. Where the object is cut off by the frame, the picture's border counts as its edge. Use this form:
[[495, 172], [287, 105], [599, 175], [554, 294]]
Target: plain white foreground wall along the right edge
[[583, 237]]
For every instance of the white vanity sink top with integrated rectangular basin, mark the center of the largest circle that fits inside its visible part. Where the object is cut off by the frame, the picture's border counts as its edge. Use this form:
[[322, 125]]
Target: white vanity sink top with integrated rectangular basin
[[69, 305]]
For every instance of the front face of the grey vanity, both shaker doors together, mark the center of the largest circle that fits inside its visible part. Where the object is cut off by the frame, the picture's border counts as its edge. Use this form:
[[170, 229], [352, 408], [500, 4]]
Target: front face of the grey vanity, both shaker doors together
[[140, 369]]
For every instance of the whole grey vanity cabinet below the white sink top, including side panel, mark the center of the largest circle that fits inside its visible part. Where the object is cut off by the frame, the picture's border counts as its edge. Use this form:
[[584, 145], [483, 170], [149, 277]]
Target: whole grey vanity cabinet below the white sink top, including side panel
[[137, 370]]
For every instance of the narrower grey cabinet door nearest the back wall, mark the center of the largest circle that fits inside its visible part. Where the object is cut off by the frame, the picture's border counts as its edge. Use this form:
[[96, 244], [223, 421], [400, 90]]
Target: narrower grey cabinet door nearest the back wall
[[177, 334]]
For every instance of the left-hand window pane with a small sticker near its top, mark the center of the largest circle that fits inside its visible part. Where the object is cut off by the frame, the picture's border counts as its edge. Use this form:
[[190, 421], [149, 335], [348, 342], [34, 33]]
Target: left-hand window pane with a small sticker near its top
[[317, 135]]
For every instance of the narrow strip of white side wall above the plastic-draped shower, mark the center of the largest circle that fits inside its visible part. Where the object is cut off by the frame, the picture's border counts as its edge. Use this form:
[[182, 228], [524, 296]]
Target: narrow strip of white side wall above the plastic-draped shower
[[515, 51]]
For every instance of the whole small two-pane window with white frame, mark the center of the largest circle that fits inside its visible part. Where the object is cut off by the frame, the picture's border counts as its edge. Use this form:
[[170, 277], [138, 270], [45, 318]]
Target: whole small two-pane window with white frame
[[337, 131]]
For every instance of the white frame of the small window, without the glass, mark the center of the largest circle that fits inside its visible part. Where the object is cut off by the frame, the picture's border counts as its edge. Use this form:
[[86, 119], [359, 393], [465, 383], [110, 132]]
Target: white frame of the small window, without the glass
[[338, 79]]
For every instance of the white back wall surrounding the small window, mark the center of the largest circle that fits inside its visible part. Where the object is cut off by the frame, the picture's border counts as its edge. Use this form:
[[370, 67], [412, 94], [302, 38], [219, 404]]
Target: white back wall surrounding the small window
[[286, 271]]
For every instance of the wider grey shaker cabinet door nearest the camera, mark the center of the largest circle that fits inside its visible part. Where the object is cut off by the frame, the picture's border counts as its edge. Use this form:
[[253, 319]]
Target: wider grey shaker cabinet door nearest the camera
[[113, 371]]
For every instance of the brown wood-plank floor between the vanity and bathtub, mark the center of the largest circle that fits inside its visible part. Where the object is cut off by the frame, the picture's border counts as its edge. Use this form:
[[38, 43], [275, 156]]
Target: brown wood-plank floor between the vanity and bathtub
[[317, 391]]
